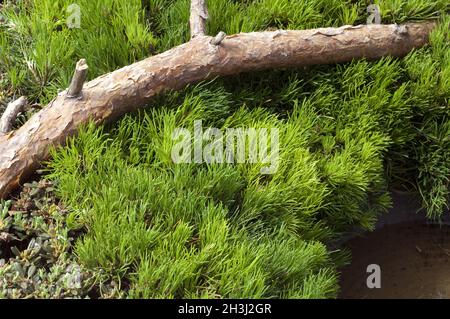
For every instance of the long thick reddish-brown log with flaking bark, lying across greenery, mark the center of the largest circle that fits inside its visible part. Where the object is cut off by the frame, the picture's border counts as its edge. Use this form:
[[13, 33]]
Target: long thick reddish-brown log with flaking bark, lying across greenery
[[110, 96]]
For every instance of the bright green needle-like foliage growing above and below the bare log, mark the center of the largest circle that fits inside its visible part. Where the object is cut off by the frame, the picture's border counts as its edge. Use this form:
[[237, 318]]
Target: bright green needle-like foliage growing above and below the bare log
[[348, 134]]
